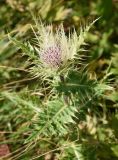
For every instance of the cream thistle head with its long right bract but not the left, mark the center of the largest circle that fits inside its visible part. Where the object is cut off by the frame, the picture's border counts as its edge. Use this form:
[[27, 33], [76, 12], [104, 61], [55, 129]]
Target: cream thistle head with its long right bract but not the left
[[55, 49]]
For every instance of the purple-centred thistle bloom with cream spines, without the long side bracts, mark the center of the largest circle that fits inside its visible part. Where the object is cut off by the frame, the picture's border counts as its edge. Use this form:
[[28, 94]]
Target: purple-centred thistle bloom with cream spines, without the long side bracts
[[55, 48]]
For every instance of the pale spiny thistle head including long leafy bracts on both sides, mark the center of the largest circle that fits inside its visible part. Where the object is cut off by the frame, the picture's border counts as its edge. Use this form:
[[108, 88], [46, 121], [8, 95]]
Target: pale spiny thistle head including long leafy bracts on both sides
[[56, 51]]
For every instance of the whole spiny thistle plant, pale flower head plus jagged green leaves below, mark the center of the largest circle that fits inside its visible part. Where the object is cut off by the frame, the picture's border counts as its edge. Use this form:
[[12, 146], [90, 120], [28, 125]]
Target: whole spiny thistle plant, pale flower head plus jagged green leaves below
[[63, 105]]
